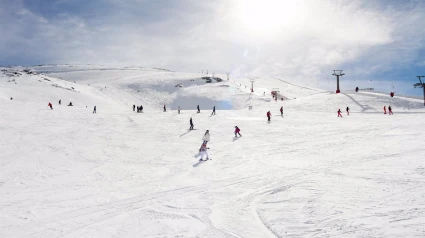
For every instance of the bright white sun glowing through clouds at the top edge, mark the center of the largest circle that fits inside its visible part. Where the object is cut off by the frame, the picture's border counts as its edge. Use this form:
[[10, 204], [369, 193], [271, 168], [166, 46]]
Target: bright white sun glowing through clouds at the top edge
[[265, 16]]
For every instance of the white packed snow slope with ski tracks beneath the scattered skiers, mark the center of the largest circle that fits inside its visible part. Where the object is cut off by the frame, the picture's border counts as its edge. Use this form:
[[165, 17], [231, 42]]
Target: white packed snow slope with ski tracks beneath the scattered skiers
[[68, 172]]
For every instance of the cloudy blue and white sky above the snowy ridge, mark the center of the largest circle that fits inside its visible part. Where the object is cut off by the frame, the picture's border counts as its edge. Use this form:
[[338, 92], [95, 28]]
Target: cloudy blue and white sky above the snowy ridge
[[378, 43]]
